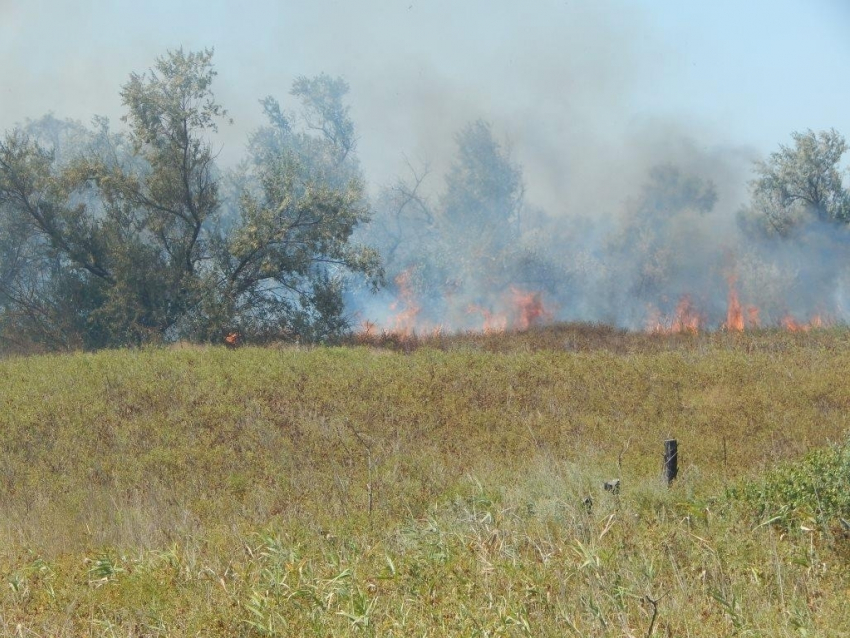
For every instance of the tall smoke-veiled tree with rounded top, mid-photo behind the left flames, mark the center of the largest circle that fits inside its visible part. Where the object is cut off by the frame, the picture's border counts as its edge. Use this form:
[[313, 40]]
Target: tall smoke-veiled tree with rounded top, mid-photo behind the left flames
[[461, 250]]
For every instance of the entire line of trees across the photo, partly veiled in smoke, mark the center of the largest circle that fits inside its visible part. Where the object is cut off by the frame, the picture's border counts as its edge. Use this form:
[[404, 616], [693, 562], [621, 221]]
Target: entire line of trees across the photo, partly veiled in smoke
[[112, 238]]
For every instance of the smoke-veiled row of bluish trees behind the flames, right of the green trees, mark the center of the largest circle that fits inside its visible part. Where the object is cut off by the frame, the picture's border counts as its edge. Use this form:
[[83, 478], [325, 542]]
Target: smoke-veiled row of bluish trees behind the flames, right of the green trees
[[466, 248]]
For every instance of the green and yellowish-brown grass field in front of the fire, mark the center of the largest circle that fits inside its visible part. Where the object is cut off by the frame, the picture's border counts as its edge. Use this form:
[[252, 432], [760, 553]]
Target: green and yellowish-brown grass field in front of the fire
[[430, 487]]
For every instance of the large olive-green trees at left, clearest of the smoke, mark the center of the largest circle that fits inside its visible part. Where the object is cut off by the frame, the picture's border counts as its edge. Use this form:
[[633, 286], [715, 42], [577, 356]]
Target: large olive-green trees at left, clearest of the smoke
[[125, 243]]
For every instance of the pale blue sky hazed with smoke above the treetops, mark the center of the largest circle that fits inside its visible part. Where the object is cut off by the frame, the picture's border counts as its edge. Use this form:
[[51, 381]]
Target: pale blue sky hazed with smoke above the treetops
[[552, 77]]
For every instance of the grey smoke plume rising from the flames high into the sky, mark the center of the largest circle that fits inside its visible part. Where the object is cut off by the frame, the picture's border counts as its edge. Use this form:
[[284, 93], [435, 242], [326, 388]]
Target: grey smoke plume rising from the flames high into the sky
[[599, 239]]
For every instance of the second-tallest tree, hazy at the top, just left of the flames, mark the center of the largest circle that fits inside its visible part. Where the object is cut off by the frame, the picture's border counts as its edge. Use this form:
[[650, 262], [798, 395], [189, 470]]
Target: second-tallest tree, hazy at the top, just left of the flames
[[292, 251]]
